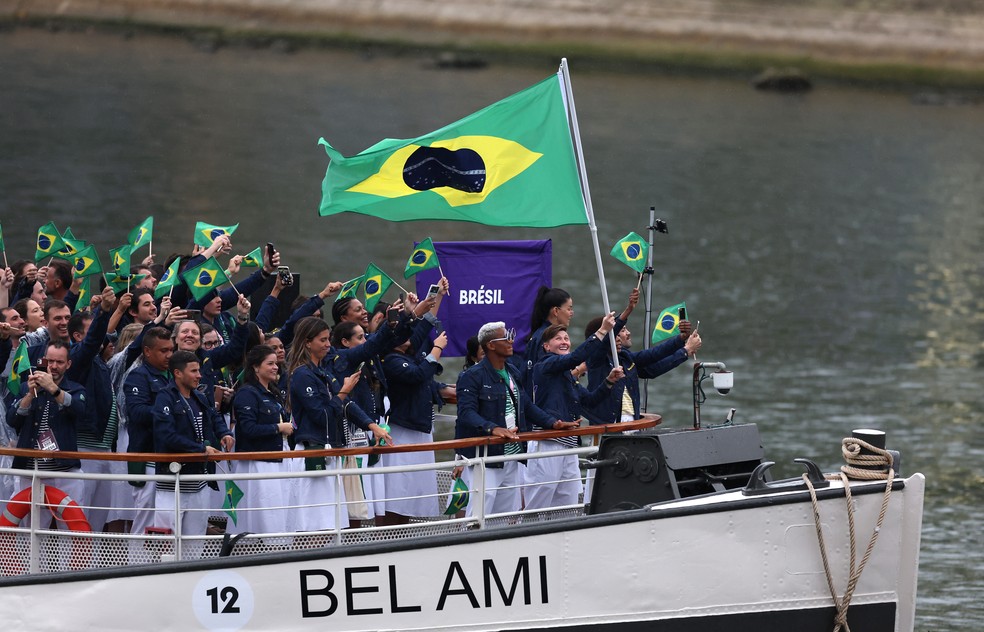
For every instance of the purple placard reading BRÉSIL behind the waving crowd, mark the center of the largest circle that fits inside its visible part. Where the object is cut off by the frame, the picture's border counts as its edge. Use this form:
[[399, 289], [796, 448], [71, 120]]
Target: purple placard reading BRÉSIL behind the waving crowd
[[490, 281]]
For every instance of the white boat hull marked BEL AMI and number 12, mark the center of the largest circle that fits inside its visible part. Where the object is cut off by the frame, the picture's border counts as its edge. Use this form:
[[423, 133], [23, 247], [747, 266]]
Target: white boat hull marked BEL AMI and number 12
[[722, 562]]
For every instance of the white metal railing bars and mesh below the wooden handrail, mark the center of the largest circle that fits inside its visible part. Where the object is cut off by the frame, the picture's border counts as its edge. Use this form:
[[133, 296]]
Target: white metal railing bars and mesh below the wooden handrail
[[36, 548]]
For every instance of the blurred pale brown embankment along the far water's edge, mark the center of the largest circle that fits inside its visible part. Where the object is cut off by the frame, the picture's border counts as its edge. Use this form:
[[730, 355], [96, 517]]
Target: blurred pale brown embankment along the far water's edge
[[946, 34]]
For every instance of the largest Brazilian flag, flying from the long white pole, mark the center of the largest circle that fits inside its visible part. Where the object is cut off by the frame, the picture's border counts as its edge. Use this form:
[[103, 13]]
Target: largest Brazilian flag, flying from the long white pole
[[509, 164]]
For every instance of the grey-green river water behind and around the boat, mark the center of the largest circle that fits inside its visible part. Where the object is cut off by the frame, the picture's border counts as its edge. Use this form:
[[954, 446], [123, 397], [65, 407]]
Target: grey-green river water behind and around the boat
[[829, 243]]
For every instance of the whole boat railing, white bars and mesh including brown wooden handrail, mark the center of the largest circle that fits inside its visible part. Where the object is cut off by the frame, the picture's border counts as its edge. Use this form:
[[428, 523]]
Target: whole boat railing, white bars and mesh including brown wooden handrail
[[35, 548]]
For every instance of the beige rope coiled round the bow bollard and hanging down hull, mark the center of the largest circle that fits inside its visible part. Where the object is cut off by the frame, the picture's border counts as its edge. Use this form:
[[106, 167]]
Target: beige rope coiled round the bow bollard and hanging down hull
[[856, 468]]
